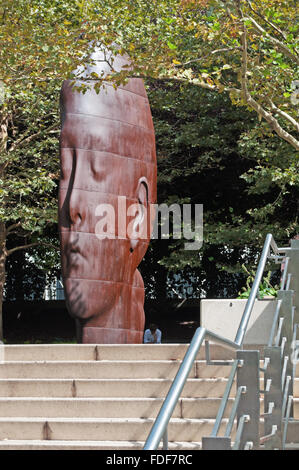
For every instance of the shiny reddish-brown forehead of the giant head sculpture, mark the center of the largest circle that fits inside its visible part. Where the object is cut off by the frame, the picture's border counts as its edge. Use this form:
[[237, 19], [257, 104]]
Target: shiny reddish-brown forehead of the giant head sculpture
[[114, 121]]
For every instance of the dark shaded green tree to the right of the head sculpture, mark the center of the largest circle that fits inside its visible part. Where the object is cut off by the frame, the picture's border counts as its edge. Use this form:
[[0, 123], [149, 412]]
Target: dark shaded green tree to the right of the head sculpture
[[212, 153]]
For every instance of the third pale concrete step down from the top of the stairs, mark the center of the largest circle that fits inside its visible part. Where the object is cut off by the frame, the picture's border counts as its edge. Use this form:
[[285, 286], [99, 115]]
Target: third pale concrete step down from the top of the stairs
[[109, 387]]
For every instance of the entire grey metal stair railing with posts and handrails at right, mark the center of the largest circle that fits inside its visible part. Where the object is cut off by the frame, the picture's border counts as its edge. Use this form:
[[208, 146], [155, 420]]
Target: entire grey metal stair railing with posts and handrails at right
[[280, 334]]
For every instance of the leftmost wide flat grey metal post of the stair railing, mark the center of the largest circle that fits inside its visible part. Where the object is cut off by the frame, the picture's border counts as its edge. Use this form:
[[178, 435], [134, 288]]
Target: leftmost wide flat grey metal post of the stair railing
[[249, 376]]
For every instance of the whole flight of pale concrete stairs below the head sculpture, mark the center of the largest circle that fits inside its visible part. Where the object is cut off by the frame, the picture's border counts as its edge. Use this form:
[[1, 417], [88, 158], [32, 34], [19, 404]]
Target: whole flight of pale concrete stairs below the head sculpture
[[106, 396]]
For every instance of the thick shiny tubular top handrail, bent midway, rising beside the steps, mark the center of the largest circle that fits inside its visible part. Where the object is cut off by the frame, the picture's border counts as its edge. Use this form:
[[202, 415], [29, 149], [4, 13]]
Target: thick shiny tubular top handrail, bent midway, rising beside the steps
[[160, 425]]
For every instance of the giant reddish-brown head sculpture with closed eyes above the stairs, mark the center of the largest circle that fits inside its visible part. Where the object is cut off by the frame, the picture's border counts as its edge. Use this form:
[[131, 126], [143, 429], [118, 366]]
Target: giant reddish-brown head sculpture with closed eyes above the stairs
[[108, 163]]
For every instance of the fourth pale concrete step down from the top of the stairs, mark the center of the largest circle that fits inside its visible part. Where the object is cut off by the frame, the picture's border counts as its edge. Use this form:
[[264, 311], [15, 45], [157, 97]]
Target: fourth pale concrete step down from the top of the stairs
[[107, 407]]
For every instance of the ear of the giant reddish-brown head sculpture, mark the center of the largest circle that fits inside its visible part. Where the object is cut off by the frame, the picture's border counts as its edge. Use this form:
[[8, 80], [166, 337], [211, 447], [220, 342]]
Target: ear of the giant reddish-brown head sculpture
[[139, 224]]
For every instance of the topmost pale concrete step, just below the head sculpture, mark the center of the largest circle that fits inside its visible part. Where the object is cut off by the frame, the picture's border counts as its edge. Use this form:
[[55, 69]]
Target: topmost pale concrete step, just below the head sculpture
[[106, 352]]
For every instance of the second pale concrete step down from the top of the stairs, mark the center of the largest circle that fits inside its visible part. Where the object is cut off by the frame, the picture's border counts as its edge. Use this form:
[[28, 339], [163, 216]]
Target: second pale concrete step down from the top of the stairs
[[106, 369]]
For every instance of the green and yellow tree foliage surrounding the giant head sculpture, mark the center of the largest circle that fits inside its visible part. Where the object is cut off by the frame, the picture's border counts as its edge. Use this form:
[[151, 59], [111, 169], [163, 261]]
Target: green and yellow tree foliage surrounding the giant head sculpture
[[220, 76]]
